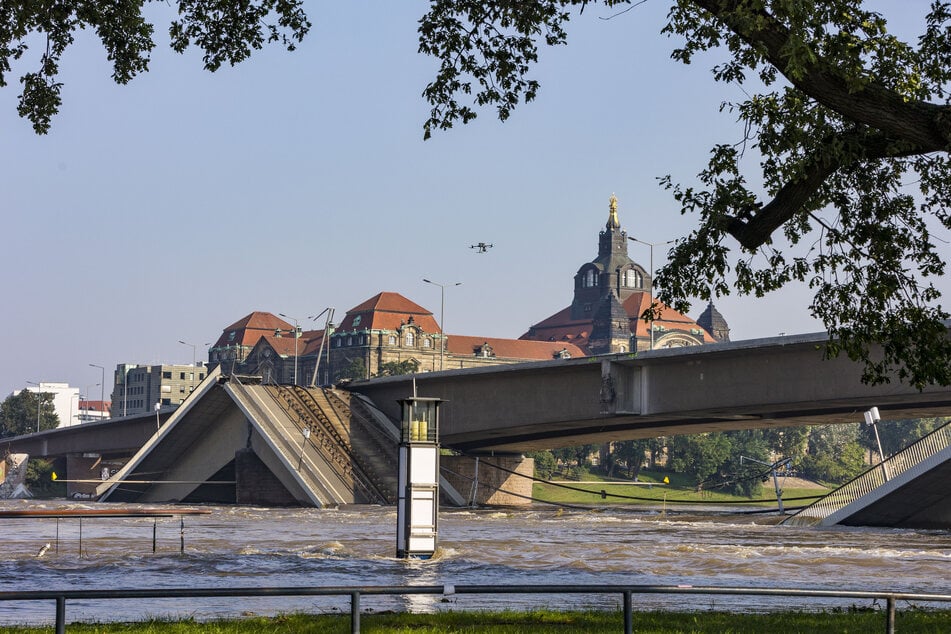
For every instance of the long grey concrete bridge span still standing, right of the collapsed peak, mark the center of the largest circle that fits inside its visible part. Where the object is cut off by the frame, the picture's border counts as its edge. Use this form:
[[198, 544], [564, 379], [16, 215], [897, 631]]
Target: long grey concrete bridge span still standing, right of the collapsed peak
[[780, 381]]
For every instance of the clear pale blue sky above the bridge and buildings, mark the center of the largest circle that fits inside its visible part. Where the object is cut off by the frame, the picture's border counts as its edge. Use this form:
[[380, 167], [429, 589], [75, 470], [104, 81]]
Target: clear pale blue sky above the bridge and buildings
[[166, 209]]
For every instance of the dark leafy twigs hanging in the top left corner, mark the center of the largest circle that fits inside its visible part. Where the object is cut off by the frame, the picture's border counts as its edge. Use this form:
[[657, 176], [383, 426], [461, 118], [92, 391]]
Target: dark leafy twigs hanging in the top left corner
[[226, 31]]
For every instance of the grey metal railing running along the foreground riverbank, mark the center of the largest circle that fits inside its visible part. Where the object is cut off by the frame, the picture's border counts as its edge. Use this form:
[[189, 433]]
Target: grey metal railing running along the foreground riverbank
[[626, 592]]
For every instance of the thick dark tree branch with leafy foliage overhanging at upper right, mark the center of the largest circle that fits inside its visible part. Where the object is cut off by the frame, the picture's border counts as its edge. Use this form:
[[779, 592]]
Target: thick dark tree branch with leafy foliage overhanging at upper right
[[847, 119]]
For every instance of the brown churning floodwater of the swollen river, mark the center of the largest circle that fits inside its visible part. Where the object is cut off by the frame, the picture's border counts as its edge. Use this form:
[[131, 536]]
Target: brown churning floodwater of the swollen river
[[242, 546]]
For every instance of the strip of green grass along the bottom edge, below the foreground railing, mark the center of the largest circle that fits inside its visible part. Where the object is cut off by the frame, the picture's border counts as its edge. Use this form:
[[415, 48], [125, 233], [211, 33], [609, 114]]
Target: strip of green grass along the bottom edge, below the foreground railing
[[541, 622]]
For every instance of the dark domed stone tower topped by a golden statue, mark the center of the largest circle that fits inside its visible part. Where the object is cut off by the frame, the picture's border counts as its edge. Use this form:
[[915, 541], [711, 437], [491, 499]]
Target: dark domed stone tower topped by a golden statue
[[612, 271]]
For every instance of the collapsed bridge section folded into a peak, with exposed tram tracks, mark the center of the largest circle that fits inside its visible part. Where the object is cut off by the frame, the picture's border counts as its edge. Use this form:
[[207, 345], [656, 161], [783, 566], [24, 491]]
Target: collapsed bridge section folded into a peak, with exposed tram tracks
[[235, 440]]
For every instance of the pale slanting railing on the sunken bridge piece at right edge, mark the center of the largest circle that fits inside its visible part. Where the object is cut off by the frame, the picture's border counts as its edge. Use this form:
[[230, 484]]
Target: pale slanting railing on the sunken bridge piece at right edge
[[893, 466]]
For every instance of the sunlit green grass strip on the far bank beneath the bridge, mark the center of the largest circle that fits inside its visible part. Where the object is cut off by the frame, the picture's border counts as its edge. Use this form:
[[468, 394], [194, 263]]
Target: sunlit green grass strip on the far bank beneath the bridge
[[651, 490]]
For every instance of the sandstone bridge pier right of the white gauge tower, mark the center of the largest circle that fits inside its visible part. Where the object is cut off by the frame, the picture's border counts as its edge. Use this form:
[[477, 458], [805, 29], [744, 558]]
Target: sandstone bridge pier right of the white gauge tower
[[496, 487]]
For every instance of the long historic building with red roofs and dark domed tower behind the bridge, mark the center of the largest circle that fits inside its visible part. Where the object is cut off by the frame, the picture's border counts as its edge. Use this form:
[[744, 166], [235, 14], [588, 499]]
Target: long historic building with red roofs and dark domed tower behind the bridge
[[389, 333]]
